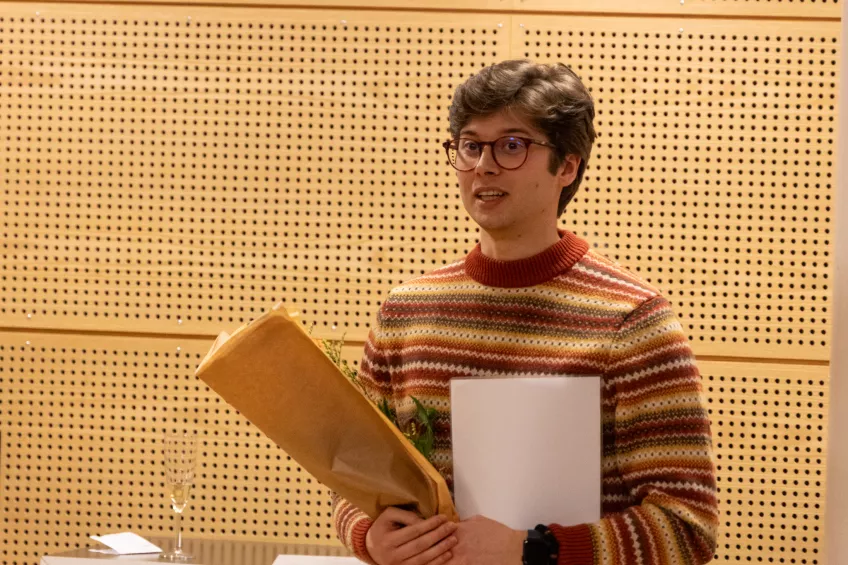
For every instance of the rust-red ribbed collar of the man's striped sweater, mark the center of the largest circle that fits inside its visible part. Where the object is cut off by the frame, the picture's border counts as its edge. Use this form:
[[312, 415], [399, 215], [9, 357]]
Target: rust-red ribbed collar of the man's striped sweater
[[540, 268]]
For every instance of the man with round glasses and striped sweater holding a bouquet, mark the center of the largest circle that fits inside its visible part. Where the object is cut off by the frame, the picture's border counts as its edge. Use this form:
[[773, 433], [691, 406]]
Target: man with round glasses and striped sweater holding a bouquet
[[532, 299]]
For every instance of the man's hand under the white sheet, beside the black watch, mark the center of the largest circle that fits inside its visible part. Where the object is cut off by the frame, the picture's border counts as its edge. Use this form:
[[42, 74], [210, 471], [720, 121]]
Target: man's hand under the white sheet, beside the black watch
[[486, 542]]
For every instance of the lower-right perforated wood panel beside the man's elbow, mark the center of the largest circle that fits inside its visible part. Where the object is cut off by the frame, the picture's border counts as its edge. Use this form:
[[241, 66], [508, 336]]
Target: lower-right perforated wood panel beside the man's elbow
[[769, 424]]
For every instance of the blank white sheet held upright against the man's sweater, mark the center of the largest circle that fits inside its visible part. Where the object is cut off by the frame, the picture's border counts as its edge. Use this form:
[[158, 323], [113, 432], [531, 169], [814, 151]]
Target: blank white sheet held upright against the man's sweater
[[527, 450]]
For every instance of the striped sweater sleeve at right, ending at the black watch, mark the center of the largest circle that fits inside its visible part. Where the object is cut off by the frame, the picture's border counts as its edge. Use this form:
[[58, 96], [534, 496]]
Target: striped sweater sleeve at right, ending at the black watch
[[662, 448]]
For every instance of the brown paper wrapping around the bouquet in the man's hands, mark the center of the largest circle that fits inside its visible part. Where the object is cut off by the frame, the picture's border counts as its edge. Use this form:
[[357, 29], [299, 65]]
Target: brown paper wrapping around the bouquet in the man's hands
[[275, 375]]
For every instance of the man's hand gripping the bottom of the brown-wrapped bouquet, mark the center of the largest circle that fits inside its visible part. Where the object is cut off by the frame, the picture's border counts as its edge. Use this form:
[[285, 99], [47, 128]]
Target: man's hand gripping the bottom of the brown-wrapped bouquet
[[398, 536]]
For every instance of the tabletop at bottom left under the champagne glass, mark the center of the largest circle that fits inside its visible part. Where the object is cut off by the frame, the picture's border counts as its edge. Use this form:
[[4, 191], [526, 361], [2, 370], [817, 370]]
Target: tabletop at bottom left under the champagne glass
[[205, 552]]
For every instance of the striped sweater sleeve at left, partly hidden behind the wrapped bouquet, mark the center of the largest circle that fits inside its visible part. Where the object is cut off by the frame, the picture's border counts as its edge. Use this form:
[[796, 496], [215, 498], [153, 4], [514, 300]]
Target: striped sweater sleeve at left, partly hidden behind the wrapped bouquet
[[351, 523]]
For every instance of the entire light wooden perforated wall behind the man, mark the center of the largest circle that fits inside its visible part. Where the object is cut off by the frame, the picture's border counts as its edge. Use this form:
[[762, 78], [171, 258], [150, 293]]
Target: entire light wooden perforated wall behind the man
[[171, 171]]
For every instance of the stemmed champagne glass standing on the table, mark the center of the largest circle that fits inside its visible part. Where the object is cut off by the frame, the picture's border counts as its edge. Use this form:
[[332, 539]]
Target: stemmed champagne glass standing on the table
[[180, 452]]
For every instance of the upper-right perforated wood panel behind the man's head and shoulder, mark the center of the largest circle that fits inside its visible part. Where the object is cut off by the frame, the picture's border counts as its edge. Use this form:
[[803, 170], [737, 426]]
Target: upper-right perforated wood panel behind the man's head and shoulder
[[713, 175]]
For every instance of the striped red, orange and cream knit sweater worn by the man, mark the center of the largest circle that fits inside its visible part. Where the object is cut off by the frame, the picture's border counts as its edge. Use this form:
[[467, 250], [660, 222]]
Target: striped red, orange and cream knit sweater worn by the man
[[566, 311]]
